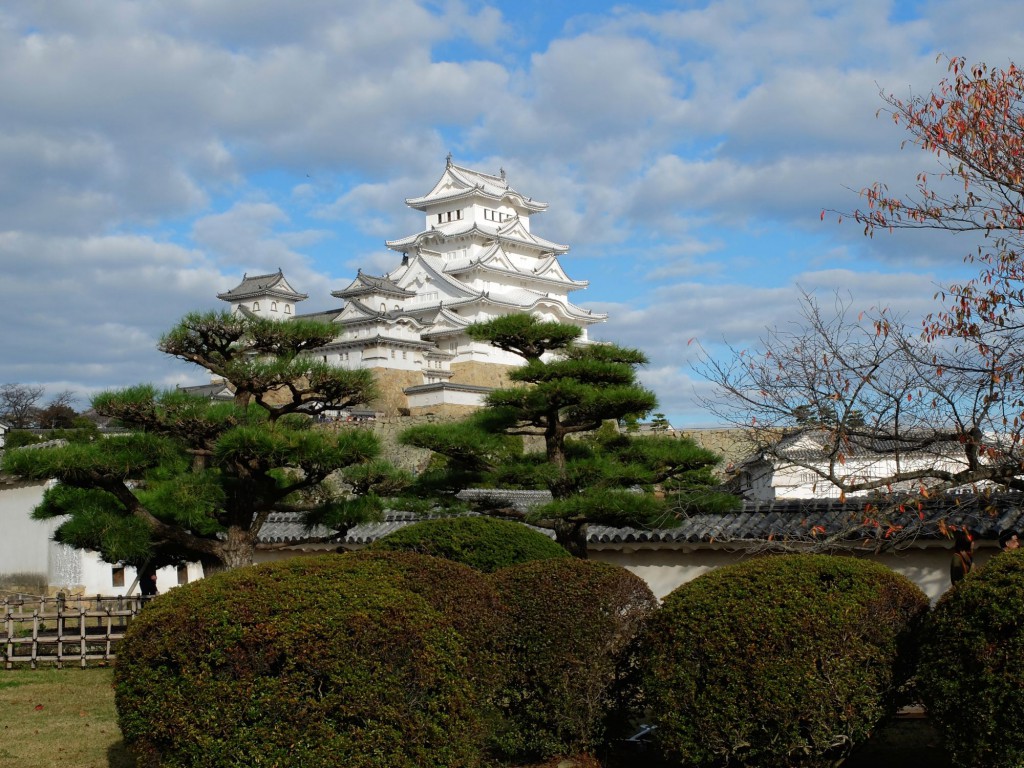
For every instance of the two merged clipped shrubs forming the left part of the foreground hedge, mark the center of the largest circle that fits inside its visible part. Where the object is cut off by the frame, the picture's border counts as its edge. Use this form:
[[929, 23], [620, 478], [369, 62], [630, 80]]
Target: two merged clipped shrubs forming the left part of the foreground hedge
[[377, 660]]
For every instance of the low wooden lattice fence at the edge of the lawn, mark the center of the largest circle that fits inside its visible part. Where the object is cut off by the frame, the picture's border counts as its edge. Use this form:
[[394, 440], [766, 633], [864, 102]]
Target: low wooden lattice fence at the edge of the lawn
[[64, 630]]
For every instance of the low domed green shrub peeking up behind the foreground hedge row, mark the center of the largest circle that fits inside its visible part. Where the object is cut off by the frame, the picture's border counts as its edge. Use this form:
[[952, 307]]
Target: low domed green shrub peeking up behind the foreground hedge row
[[484, 543]]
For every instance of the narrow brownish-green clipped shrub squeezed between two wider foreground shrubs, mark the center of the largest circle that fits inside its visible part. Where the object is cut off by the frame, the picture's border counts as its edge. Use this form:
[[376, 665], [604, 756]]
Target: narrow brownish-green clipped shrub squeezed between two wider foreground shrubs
[[568, 637]]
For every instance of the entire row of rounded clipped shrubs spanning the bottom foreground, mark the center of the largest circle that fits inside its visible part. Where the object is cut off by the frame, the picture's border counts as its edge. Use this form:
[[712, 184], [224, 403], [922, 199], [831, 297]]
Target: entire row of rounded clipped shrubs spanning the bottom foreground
[[393, 659]]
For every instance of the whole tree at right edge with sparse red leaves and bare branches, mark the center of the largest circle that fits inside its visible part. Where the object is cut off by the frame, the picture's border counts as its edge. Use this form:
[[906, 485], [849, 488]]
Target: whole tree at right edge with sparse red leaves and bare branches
[[871, 383]]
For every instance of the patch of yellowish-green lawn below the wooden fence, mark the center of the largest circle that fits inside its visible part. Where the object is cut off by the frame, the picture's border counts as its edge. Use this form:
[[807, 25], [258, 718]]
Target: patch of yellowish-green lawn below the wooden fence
[[60, 717]]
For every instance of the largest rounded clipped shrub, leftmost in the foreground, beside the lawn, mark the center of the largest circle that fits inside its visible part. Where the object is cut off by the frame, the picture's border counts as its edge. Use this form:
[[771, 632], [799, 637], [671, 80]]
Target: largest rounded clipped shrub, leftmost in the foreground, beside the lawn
[[312, 662]]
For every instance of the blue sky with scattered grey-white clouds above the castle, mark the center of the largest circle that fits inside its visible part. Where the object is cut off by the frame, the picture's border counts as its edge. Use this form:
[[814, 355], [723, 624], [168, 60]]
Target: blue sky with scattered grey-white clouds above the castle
[[154, 152]]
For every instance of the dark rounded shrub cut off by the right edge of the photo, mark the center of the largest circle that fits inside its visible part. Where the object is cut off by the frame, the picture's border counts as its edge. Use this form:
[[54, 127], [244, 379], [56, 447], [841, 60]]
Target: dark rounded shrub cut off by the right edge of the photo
[[971, 676]]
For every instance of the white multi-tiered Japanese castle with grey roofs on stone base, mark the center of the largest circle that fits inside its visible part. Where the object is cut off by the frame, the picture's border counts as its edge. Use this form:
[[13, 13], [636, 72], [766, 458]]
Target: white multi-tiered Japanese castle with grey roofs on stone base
[[477, 259]]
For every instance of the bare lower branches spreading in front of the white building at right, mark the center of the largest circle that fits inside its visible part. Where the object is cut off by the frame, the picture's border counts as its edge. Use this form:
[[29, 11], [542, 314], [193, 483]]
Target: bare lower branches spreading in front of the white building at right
[[924, 415]]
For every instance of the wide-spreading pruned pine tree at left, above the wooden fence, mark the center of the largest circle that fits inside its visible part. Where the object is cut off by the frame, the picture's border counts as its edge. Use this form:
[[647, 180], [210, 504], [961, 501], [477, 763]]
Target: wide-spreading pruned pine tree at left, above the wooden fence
[[198, 480]]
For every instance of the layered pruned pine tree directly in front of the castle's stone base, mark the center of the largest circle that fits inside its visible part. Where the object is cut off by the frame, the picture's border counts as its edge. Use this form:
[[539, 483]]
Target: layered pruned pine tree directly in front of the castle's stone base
[[565, 391]]
